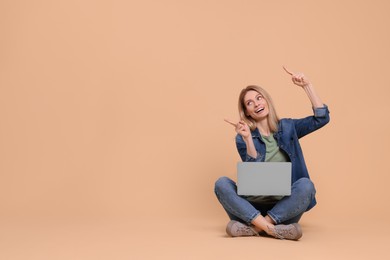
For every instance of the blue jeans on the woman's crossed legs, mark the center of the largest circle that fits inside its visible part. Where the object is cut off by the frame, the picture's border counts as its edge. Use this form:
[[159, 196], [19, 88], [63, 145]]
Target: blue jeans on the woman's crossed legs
[[286, 211]]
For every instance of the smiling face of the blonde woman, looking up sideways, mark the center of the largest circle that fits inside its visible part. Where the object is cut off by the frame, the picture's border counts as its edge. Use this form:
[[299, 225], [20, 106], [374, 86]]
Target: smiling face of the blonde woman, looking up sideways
[[256, 106]]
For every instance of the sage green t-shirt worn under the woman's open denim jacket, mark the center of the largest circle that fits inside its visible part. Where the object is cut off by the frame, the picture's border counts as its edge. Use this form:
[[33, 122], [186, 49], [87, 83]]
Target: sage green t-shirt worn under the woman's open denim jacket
[[273, 154]]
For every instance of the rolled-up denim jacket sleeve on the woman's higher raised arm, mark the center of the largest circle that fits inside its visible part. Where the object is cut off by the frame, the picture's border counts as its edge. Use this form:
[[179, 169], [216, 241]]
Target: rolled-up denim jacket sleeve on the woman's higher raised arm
[[309, 124]]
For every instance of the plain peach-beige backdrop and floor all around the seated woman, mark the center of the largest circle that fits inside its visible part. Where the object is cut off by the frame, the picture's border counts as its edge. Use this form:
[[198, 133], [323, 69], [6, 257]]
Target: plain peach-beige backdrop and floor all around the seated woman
[[112, 131]]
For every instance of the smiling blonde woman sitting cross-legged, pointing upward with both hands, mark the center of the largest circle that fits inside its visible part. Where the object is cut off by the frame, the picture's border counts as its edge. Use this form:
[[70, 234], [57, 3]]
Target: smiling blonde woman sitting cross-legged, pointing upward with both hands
[[262, 136]]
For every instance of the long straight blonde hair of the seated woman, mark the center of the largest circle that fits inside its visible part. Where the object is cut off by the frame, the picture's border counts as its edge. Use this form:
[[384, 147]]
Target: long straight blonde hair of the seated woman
[[273, 119]]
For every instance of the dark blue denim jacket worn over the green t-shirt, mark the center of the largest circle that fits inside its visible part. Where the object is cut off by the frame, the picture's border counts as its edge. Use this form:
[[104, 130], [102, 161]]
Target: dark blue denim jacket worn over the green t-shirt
[[287, 137]]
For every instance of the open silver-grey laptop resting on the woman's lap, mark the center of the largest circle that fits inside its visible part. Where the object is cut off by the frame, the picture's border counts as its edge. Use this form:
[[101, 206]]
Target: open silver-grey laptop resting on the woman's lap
[[264, 178]]
